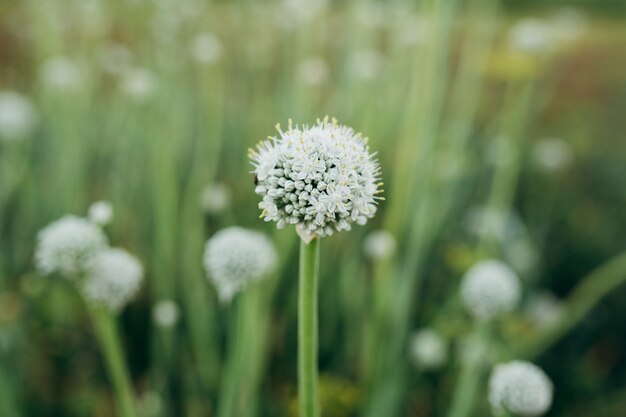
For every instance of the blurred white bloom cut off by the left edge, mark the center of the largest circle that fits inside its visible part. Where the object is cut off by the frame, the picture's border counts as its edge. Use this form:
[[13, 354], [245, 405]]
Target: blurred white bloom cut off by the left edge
[[17, 116]]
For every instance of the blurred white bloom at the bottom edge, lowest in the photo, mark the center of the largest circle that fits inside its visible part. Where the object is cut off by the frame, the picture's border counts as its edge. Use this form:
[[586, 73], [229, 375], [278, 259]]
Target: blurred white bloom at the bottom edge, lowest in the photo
[[520, 388]]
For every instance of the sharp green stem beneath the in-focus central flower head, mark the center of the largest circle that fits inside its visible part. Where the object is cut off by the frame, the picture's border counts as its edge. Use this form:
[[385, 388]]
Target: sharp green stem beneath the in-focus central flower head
[[307, 329]]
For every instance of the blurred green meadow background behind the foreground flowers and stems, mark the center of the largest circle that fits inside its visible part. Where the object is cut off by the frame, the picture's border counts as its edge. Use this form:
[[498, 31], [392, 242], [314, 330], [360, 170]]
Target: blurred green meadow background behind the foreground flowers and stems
[[501, 133]]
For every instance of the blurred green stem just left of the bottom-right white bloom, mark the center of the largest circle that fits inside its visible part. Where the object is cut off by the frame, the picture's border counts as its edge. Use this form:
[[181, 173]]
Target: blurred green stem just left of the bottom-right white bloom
[[472, 369]]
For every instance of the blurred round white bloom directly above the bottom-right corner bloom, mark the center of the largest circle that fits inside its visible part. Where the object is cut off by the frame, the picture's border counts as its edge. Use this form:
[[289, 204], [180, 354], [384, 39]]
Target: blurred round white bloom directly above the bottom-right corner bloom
[[490, 288]]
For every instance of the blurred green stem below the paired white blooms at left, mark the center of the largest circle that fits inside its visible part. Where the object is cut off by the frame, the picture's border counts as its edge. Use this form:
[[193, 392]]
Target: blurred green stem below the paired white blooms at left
[[107, 334]]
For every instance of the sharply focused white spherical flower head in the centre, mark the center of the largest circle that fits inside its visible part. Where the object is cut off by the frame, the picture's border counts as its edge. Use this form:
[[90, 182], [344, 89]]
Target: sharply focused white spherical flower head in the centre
[[321, 178]]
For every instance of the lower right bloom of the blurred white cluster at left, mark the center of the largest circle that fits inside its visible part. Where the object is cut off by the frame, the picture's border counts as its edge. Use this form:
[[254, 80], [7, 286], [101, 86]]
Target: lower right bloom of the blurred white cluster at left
[[113, 279]]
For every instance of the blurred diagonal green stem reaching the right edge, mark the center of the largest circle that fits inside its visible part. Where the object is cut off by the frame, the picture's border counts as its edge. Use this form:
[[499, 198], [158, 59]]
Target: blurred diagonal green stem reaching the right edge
[[583, 298]]
